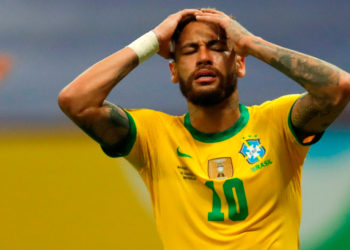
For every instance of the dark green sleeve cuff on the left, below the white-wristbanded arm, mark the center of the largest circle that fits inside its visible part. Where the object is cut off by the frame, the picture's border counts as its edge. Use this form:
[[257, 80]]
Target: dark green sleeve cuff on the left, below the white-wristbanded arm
[[125, 147]]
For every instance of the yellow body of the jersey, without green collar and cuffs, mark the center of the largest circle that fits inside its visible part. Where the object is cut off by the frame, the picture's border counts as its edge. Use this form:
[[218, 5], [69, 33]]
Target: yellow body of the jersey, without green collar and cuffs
[[176, 169]]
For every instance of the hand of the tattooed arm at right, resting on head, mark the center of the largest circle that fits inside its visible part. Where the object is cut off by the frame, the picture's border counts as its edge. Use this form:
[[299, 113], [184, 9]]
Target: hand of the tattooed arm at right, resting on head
[[237, 35]]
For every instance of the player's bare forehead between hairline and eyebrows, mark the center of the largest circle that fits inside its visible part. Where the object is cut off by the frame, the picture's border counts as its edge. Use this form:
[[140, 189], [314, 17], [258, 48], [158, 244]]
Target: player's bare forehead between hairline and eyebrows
[[199, 31]]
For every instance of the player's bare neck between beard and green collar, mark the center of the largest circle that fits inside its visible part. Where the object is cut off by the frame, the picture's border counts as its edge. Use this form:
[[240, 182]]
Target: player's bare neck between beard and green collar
[[216, 118]]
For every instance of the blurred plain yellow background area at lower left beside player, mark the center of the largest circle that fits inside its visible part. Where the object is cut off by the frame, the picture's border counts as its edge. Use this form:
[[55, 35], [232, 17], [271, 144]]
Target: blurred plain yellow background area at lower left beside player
[[59, 191]]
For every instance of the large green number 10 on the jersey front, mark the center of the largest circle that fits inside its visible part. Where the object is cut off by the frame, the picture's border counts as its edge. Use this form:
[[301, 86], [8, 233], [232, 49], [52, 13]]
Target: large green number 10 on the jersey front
[[231, 187]]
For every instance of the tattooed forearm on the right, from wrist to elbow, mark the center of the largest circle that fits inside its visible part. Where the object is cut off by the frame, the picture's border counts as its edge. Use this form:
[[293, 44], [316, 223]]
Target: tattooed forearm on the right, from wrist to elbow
[[318, 77]]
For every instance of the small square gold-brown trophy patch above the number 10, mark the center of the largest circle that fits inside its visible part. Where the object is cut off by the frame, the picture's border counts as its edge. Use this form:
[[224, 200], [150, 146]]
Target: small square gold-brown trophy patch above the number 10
[[220, 168]]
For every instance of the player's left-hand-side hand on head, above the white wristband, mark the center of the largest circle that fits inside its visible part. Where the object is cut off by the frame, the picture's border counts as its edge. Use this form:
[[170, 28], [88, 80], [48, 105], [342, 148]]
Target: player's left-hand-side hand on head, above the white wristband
[[165, 30]]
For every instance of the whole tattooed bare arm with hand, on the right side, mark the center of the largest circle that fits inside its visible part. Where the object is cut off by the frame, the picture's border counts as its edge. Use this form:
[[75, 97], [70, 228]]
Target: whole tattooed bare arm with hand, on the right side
[[328, 86]]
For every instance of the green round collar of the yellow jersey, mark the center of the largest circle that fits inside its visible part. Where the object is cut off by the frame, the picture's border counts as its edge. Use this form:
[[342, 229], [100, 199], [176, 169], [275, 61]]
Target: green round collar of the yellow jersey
[[220, 136]]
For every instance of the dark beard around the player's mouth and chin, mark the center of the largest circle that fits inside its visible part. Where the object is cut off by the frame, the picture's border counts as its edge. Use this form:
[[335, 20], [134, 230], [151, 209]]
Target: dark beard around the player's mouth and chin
[[227, 85]]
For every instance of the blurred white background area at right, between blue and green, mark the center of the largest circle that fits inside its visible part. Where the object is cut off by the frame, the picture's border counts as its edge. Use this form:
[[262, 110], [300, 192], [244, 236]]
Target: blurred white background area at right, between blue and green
[[326, 197]]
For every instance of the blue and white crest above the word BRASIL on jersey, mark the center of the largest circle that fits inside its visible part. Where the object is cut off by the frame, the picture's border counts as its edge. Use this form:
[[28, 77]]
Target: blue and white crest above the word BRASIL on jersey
[[252, 150]]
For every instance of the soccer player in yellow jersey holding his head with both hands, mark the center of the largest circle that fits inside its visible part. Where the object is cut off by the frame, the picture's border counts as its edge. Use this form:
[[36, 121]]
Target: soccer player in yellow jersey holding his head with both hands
[[222, 176]]
